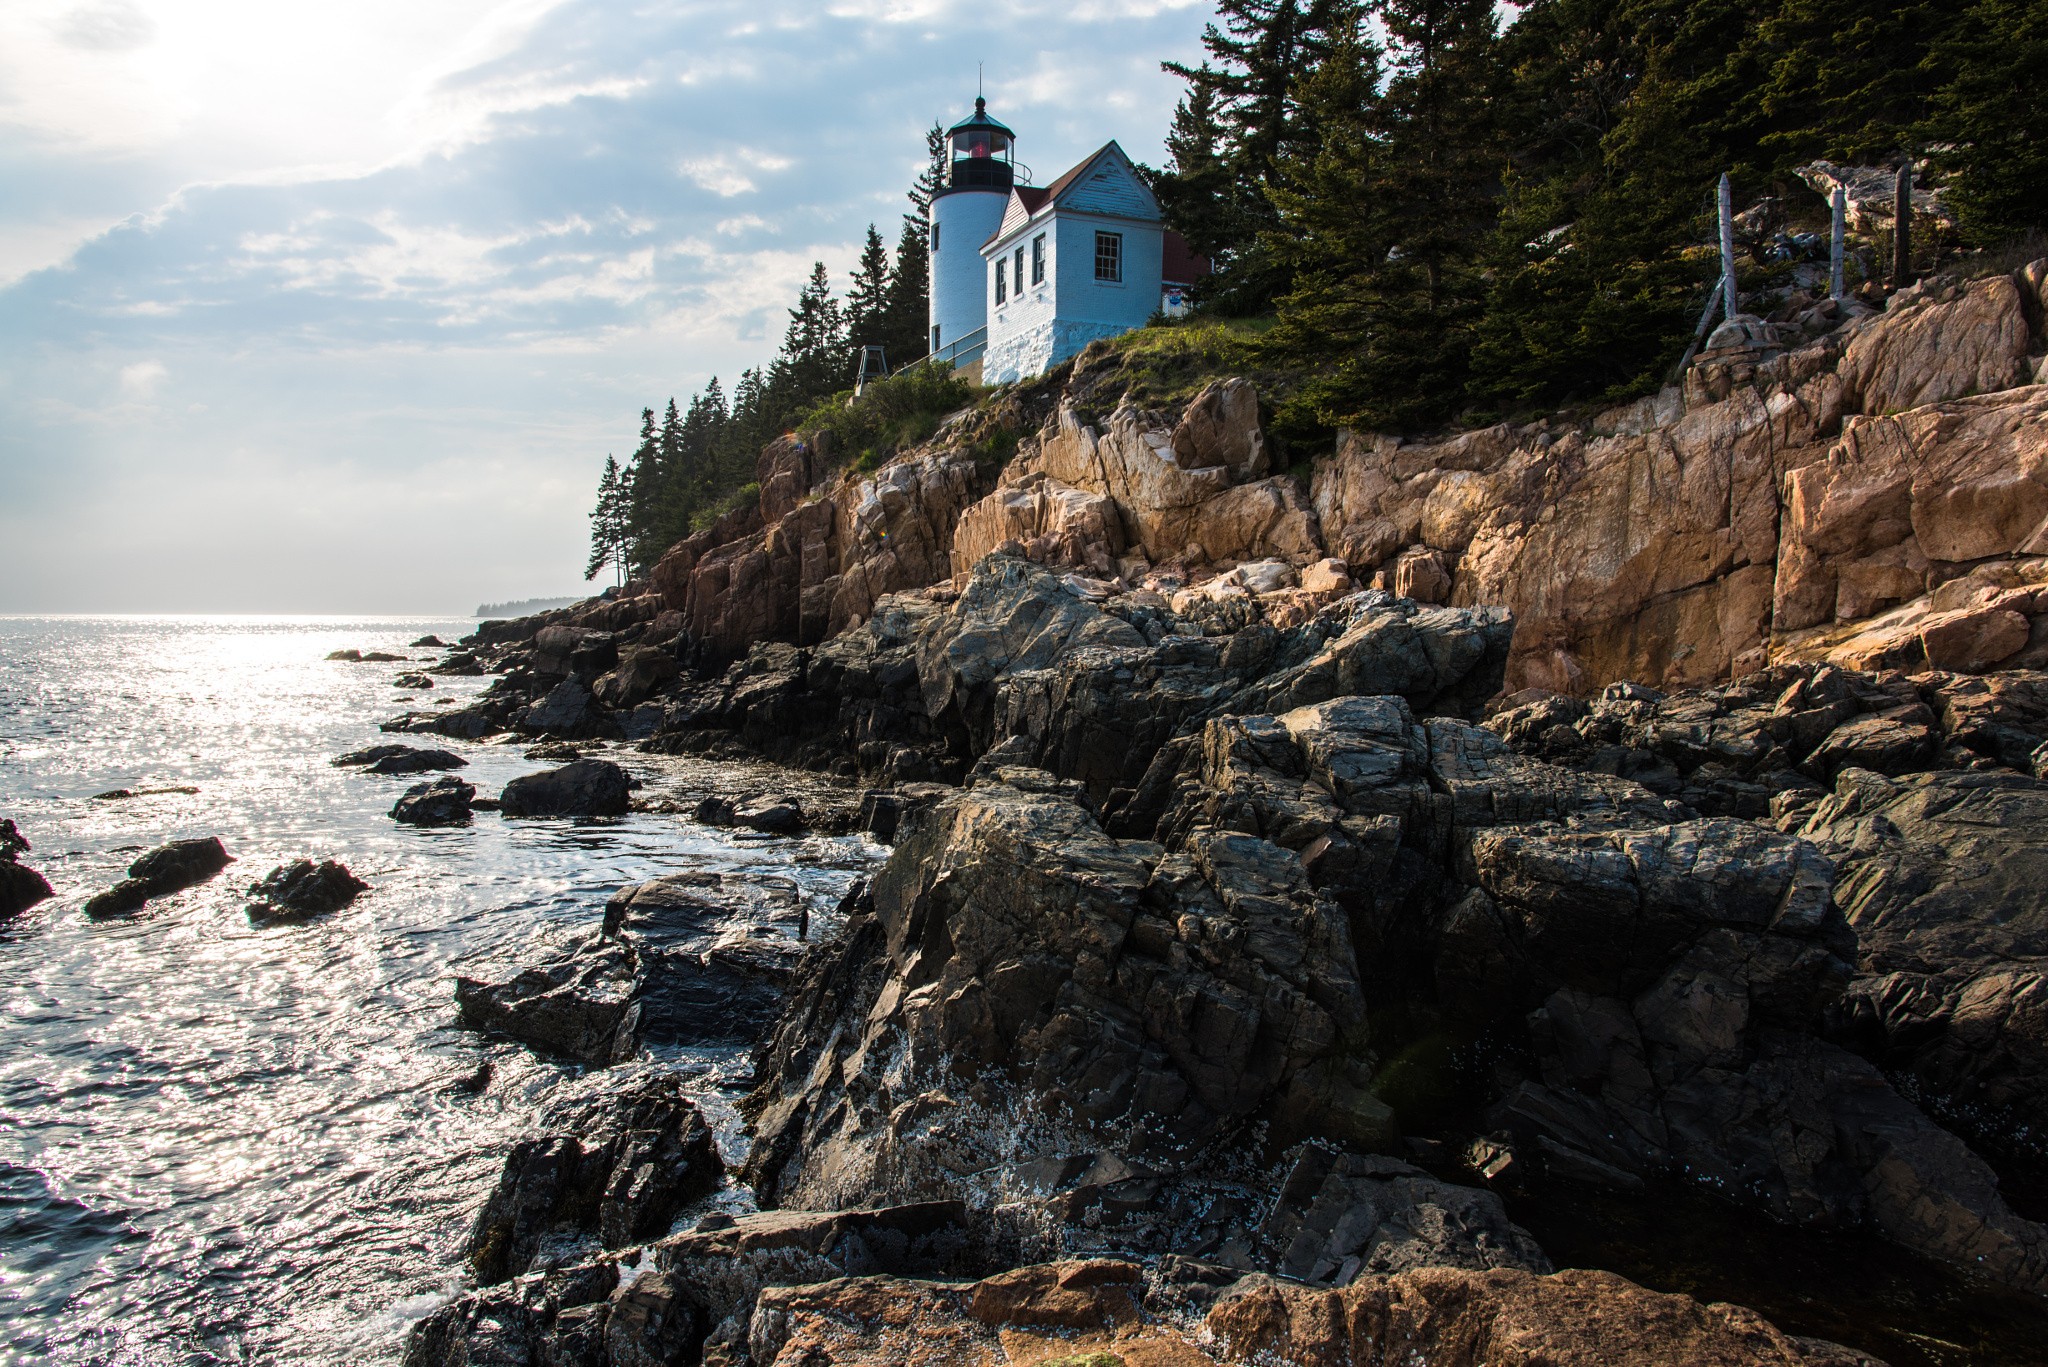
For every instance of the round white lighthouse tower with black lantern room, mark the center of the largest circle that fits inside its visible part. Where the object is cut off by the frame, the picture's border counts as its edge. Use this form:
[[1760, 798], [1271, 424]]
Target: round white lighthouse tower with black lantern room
[[966, 214]]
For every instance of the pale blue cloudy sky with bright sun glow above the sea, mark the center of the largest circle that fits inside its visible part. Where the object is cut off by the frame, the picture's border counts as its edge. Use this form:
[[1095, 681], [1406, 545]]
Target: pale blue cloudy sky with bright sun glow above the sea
[[339, 308]]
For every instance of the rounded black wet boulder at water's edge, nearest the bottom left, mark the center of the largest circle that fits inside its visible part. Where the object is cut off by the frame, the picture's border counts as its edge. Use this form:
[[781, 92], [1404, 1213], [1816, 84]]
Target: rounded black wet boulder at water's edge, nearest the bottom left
[[617, 1169]]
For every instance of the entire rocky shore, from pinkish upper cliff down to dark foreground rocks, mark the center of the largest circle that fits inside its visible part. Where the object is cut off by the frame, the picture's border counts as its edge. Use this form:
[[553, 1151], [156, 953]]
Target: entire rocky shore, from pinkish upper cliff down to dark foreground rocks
[[1279, 899]]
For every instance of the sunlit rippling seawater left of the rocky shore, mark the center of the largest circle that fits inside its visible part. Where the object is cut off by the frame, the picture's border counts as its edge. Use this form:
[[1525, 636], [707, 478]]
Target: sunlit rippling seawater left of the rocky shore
[[228, 1145]]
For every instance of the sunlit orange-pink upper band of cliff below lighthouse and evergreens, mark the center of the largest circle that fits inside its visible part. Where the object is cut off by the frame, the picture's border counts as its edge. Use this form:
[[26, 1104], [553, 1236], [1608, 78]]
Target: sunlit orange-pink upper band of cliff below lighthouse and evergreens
[[1871, 493]]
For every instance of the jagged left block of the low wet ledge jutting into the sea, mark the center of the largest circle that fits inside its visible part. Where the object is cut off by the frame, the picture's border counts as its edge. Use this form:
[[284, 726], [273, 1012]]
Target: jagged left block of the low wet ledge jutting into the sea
[[581, 1005]]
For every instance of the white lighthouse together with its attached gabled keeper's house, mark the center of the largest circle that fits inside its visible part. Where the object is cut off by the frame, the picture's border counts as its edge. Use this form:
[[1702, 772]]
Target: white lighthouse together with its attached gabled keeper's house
[[1025, 276]]
